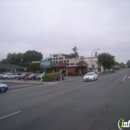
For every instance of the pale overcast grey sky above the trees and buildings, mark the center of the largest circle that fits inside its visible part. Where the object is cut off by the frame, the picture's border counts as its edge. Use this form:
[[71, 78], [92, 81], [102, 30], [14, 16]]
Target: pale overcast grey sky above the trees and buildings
[[57, 26]]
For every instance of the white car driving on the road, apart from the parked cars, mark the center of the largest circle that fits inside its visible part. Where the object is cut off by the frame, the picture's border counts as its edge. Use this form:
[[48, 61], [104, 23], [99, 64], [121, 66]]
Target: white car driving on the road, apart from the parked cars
[[90, 76]]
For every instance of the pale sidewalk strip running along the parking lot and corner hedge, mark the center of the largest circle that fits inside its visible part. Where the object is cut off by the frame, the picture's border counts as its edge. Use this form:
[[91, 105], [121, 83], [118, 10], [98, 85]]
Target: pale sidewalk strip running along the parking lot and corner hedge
[[67, 79]]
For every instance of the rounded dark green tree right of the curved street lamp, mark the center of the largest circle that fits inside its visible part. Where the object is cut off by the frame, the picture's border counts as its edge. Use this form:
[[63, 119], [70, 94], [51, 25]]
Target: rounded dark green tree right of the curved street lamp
[[106, 60]]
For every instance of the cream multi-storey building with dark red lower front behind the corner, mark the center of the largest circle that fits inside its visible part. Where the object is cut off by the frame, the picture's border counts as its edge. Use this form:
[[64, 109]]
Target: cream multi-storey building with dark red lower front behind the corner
[[72, 65]]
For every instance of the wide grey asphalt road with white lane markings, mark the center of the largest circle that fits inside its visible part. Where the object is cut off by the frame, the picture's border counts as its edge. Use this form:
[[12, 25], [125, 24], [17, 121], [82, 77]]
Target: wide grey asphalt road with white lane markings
[[74, 105]]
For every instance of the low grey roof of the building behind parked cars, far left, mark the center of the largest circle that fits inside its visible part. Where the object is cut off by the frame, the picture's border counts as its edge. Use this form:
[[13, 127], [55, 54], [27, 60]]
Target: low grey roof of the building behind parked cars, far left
[[10, 66]]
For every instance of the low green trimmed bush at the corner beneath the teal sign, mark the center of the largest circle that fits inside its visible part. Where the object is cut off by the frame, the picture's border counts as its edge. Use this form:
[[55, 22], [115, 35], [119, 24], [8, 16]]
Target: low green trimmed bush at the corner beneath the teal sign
[[49, 77]]
